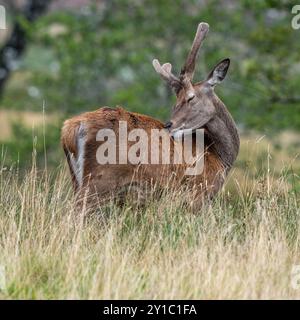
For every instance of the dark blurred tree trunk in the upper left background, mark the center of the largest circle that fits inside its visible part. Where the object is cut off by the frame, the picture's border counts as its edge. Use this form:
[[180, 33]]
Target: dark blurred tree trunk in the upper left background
[[16, 44]]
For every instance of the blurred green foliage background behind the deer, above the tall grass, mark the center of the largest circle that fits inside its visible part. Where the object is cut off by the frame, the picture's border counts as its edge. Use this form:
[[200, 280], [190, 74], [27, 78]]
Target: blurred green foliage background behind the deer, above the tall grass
[[80, 55]]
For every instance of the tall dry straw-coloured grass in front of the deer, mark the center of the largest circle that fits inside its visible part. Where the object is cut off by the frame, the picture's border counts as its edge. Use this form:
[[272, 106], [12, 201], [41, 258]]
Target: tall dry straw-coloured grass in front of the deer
[[243, 245]]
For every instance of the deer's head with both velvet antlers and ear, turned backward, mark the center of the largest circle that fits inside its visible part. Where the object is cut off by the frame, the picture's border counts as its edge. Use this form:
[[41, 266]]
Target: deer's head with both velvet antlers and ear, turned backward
[[195, 105]]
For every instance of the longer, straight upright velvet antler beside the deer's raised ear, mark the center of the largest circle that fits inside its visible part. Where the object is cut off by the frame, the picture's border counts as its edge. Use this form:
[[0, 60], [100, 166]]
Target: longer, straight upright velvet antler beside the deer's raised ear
[[189, 66]]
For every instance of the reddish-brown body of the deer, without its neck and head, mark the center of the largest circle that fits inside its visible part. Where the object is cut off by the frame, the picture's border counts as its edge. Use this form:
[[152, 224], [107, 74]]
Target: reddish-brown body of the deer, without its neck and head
[[96, 183]]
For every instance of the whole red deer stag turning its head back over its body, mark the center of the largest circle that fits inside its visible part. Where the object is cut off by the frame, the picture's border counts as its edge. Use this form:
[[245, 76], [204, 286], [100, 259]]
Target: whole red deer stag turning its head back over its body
[[197, 107]]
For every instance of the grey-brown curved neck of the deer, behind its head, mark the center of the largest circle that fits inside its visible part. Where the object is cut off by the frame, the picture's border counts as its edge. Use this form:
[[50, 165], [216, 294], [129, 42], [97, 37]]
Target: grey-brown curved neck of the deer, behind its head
[[223, 138]]
